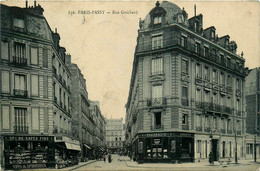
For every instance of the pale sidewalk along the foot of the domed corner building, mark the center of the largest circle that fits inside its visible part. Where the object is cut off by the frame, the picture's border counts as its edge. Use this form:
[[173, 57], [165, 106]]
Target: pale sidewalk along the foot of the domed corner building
[[130, 163]]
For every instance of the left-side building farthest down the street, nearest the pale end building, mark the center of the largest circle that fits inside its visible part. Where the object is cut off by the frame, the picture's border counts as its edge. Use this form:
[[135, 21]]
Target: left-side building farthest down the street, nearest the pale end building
[[98, 127]]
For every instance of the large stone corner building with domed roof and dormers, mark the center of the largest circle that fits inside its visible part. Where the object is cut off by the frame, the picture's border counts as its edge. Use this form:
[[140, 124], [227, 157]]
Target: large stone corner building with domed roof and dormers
[[186, 96]]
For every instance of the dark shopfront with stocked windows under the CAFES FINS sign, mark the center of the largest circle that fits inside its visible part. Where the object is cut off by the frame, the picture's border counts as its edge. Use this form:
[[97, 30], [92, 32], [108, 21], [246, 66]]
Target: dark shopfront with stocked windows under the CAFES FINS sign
[[28, 152]]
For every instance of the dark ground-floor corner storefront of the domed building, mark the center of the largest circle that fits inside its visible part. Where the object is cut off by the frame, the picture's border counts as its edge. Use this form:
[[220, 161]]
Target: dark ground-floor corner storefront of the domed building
[[166, 147]]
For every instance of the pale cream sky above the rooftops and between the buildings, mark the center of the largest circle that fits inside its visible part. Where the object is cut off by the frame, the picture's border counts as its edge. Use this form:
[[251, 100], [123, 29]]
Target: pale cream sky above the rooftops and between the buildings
[[103, 45]]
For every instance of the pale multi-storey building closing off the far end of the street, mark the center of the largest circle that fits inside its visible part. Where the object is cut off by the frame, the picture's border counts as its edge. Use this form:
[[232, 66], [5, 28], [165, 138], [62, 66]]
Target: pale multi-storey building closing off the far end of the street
[[115, 135]]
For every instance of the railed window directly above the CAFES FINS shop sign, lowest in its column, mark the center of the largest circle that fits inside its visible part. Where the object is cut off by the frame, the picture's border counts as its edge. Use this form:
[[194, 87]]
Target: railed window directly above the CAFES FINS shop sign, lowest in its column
[[20, 119]]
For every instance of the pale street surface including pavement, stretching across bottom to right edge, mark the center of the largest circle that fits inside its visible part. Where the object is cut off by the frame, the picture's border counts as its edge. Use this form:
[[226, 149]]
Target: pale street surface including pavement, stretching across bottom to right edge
[[123, 163]]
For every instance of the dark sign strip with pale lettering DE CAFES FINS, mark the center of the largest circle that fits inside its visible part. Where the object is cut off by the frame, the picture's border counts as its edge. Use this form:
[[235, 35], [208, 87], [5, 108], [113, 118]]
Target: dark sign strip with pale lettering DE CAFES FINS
[[28, 138]]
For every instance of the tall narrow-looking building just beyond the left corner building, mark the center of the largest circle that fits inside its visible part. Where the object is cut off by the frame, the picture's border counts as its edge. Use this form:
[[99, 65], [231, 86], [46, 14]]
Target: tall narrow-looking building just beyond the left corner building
[[80, 111]]
